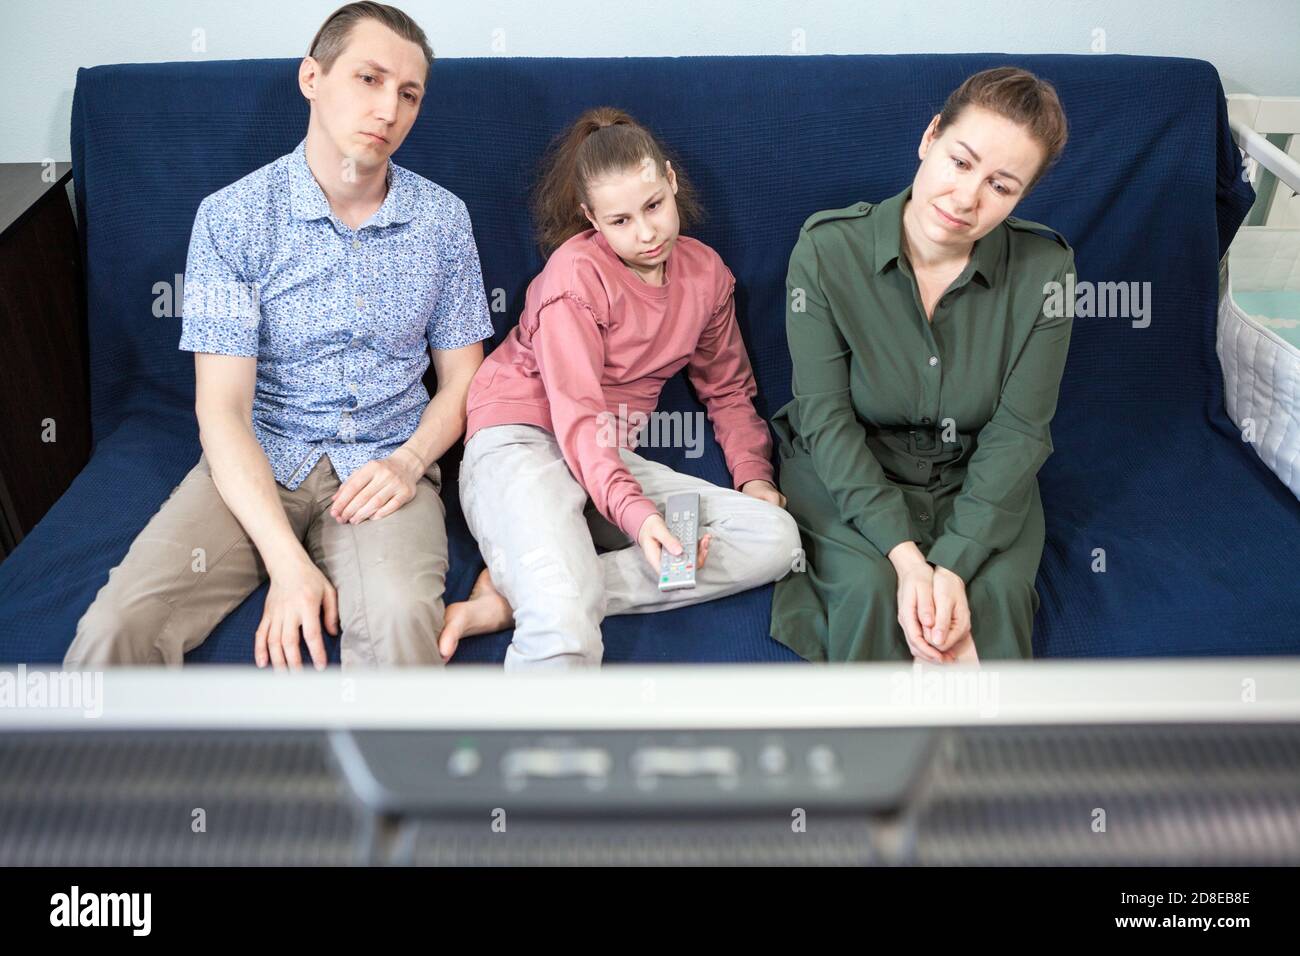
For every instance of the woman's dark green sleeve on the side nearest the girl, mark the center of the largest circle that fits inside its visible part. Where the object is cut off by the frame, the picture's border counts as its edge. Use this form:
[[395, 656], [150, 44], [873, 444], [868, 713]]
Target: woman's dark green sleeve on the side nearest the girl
[[827, 422]]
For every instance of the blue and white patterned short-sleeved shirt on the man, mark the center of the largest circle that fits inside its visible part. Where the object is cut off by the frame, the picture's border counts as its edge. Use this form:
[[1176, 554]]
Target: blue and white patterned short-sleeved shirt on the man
[[341, 319]]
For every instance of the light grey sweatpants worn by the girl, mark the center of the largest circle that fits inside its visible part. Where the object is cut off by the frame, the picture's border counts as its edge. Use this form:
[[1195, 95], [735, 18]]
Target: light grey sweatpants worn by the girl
[[539, 531]]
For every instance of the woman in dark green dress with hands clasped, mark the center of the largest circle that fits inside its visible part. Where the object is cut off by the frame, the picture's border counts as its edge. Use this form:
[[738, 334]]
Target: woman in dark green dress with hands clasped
[[926, 375]]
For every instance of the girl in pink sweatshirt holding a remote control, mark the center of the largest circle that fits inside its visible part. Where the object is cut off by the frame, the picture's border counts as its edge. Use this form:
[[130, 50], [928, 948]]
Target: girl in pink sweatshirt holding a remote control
[[623, 304]]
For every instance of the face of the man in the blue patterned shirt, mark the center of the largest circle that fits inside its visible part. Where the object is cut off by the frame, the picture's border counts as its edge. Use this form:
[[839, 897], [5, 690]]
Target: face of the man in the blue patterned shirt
[[370, 100]]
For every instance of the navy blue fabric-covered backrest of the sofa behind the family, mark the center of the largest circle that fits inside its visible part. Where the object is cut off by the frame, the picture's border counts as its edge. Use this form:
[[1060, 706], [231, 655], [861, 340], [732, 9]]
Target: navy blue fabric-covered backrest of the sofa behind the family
[[1147, 191]]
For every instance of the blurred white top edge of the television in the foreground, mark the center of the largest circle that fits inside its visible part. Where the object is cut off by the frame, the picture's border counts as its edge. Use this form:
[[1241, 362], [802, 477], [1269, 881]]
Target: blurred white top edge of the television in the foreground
[[670, 697]]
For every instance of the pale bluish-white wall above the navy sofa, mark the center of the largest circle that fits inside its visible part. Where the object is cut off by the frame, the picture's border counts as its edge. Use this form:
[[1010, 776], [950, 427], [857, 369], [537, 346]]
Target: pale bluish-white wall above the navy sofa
[[1254, 44]]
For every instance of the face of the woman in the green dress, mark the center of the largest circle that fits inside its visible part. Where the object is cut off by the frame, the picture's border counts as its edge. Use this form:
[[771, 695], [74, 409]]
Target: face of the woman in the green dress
[[972, 176]]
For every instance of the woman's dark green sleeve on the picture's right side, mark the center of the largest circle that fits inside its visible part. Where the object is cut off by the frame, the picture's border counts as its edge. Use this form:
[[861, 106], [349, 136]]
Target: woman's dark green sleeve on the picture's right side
[[994, 503]]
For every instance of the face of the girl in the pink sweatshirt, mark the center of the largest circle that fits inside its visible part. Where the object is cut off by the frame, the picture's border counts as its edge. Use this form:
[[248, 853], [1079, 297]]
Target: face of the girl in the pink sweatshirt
[[636, 211]]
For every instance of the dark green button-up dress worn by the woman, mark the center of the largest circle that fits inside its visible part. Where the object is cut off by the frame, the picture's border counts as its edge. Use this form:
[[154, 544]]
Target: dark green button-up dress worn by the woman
[[911, 430]]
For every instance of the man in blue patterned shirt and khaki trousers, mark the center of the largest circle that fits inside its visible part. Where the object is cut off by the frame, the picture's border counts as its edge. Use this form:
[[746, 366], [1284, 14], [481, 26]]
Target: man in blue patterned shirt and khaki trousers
[[317, 289]]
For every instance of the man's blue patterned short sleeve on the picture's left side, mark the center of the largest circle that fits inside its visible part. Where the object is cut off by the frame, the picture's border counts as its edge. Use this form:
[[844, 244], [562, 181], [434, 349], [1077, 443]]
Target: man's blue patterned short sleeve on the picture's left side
[[220, 313]]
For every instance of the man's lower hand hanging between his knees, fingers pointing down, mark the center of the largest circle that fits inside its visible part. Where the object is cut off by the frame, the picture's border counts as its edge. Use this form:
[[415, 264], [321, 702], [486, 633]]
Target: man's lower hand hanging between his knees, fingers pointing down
[[293, 613]]
